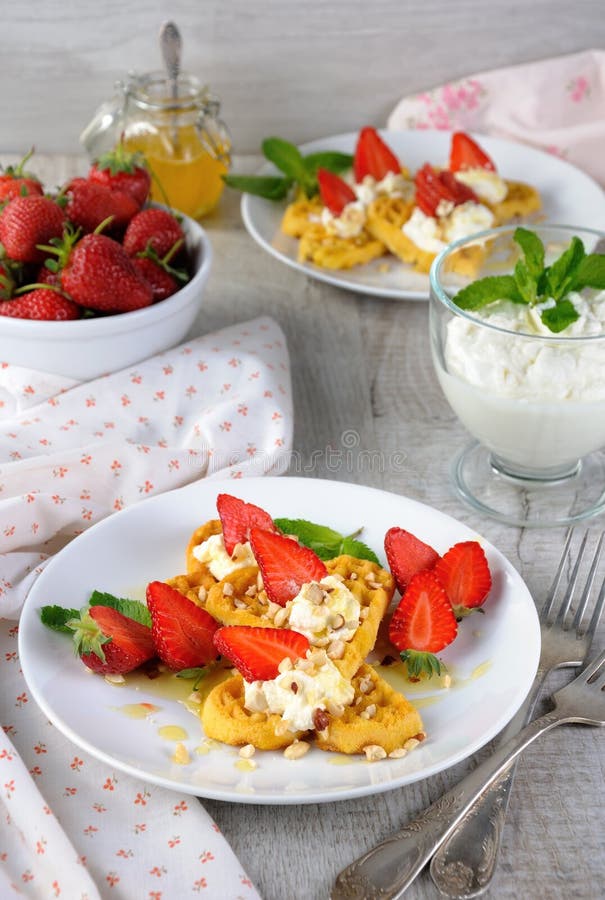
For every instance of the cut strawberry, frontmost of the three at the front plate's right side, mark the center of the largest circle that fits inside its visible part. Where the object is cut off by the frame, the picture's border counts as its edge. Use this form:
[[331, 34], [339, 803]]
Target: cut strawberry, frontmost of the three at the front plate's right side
[[424, 619]]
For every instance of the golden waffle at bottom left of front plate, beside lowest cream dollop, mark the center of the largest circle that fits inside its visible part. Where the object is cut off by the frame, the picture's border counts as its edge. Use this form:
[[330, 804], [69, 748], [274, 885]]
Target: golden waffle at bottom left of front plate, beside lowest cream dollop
[[224, 718]]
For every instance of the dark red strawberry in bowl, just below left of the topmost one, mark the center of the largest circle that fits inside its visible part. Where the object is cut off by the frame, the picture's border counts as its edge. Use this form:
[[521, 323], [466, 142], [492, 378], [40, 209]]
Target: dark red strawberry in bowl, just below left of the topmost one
[[89, 204]]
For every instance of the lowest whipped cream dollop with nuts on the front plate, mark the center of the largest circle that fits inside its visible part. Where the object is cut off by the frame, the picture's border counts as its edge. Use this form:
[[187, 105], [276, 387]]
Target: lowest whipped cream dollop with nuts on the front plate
[[314, 689]]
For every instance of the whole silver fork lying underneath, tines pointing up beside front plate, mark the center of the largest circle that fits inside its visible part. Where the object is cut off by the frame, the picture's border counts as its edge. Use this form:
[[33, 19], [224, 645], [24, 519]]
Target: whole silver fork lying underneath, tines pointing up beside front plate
[[465, 864]]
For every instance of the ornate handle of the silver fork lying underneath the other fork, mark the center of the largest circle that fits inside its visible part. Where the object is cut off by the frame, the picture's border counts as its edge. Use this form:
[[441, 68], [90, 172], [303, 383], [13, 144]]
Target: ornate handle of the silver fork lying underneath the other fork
[[465, 863]]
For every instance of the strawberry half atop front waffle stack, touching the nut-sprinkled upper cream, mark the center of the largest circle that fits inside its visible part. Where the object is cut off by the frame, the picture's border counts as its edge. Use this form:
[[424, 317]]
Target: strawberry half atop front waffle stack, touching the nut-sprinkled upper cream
[[284, 564]]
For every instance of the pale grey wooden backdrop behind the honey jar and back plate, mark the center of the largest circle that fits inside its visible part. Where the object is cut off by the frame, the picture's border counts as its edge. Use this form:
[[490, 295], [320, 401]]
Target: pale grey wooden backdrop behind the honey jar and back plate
[[305, 68]]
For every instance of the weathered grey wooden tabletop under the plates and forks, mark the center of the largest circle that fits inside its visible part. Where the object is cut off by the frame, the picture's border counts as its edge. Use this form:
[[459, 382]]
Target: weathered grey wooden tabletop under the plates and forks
[[364, 364]]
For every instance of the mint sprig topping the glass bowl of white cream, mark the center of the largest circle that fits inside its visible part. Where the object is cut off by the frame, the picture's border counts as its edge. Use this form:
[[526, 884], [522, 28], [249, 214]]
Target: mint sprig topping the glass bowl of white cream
[[533, 283]]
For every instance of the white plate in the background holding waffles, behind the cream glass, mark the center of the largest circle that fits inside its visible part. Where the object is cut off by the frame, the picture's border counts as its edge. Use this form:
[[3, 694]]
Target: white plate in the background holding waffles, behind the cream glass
[[569, 197]]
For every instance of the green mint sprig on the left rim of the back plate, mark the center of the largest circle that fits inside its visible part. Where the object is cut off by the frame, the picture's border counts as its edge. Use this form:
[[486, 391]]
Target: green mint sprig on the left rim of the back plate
[[297, 169]]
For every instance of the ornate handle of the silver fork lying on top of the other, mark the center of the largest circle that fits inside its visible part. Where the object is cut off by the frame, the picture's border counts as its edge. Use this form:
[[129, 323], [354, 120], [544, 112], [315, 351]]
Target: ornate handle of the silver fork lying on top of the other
[[385, 872]]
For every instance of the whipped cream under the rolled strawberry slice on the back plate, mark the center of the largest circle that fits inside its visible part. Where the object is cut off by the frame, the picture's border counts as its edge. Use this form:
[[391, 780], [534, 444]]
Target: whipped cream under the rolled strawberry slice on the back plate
[[433, 233]]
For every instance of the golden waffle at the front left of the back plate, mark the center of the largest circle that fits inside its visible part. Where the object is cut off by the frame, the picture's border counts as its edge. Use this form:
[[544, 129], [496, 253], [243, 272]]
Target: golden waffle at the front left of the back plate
[[319, 246]]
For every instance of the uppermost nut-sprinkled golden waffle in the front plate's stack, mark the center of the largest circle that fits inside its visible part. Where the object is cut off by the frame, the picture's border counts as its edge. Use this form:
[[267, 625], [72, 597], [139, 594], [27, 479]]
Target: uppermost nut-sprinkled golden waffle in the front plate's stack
[[245, 604]]
